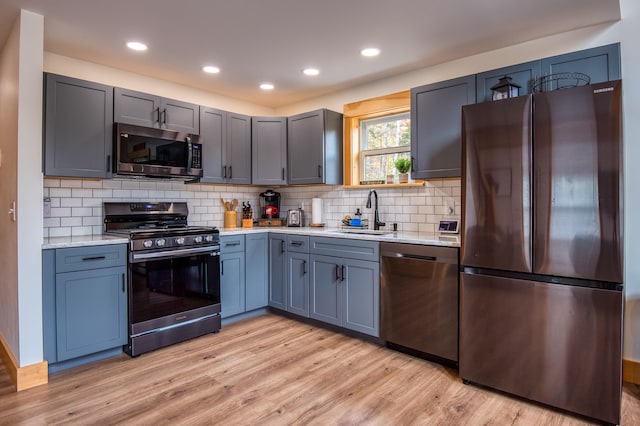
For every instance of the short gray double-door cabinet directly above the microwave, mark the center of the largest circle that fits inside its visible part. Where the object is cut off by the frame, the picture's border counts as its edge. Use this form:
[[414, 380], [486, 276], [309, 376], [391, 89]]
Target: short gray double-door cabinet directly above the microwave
[[143, 109]]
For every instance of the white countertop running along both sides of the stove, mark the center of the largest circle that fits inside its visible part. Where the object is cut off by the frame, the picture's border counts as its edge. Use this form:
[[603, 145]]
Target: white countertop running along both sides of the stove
[[422, 238]]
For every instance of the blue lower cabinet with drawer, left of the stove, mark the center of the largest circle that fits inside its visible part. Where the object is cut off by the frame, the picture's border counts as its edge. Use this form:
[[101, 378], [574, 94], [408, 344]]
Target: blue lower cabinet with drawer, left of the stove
[[84, 304]]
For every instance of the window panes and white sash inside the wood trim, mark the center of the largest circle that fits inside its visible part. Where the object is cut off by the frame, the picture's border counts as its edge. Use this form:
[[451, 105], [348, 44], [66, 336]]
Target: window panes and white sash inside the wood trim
[[382, 141]]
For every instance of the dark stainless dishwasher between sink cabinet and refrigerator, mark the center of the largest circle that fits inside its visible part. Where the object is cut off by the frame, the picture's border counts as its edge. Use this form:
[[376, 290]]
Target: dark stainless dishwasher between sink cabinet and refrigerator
[[419, 298]]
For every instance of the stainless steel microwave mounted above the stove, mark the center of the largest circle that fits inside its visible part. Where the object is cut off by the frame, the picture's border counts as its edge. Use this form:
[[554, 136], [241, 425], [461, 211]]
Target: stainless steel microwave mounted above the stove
[[149, 152]]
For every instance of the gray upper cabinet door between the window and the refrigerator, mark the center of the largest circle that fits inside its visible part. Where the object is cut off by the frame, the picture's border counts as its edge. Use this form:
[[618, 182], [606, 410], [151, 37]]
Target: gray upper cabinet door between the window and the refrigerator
[[435, 127]]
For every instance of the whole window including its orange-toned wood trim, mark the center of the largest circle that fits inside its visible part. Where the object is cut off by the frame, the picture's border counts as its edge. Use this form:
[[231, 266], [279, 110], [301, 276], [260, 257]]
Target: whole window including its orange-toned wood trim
[[377, 132]]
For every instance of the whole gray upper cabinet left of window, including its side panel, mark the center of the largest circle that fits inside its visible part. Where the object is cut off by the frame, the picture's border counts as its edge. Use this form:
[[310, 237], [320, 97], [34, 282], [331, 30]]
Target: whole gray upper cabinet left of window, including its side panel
[[315, 147]]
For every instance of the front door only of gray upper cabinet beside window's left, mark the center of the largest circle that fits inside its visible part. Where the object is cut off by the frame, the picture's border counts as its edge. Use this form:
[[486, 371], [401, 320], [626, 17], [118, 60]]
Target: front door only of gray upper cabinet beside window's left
[[306, 147]]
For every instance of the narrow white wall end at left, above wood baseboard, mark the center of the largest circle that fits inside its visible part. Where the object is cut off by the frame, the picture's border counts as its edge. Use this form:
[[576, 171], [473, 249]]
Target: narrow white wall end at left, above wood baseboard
[[30, 188]]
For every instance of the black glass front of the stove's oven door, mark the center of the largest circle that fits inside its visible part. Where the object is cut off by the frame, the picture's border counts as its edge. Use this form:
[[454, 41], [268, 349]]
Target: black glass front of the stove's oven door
[[171, 286]]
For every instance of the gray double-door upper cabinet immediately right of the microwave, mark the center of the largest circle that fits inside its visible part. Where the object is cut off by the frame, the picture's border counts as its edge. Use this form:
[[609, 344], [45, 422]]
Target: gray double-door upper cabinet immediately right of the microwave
[[226, 141]]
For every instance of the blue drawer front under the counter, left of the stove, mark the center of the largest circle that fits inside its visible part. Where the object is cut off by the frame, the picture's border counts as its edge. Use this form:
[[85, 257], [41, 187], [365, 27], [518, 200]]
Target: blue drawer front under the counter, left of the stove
[[93, 257]]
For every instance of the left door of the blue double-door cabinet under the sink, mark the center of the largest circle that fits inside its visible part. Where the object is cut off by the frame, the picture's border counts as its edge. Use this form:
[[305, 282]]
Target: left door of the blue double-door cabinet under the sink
[[326, 286]]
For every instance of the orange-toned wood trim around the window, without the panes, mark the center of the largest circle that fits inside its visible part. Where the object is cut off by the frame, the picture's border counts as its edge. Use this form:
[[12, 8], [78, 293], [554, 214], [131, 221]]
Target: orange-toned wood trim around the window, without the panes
[[394, 103]]
